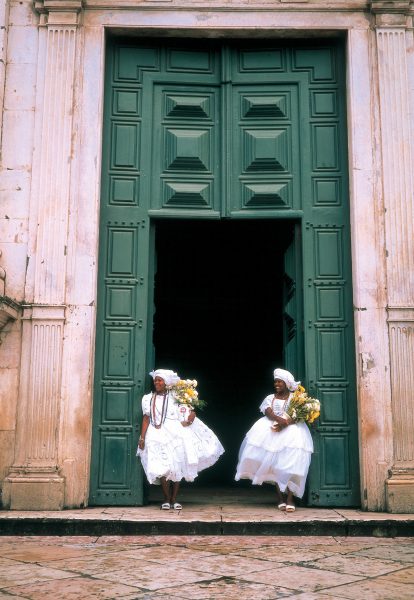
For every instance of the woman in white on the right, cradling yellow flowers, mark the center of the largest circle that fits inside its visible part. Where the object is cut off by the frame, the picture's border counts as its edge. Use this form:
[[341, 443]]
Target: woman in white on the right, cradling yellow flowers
[[280, 454]]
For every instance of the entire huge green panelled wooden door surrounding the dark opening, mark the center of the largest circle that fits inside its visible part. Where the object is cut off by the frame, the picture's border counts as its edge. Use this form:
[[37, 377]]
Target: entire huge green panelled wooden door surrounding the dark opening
[[238, 131]]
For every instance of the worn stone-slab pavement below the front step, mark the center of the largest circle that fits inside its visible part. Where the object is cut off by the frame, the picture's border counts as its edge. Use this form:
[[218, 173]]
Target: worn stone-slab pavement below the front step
[[206, 567]]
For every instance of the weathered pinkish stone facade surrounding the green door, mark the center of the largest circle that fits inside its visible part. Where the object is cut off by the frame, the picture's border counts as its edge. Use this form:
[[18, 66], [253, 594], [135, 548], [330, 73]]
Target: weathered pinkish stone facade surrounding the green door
[[51, 95]]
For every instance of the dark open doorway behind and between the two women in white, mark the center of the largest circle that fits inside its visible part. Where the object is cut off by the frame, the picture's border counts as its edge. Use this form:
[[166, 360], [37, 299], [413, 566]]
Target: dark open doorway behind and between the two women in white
[[219, 319]]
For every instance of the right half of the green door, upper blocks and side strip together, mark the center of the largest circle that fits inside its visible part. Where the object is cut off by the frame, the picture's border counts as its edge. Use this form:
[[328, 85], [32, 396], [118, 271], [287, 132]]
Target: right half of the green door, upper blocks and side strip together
[[289, 158]]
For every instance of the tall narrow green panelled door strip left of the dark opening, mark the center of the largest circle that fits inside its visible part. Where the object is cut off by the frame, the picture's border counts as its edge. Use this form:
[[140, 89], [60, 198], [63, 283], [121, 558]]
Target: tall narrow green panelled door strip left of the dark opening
[[123, 288]]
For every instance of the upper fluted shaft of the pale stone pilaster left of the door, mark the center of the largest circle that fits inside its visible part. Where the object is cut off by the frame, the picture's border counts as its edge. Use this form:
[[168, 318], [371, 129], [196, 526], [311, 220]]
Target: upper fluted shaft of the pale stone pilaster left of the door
[[54, 172]]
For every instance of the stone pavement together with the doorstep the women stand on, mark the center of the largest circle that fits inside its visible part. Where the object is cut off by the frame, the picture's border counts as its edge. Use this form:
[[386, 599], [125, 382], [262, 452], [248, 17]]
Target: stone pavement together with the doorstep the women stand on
[[217, 566]]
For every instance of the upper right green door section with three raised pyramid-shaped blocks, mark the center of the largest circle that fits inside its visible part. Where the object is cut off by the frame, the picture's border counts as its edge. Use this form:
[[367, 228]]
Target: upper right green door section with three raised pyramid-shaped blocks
[[264, 156]]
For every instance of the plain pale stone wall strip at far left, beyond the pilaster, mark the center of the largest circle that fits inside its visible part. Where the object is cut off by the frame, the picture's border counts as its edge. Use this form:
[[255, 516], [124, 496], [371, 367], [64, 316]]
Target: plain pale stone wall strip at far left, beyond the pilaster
[[17, 96]]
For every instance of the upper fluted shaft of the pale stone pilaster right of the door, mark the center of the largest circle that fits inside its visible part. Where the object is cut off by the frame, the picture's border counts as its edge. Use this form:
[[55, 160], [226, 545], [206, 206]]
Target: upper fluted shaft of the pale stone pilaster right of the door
[[398, 165]]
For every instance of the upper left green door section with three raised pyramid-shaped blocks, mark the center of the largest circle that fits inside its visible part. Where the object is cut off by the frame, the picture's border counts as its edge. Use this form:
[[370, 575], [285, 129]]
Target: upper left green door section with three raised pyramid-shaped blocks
[[185, 169]]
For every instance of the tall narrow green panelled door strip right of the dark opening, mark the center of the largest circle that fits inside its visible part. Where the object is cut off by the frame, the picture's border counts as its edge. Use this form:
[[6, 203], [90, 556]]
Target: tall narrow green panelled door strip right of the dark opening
[[328, 310]]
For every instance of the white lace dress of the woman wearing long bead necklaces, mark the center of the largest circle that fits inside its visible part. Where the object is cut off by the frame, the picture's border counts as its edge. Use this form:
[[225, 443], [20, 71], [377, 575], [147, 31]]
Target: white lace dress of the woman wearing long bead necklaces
[[174, 451]]
